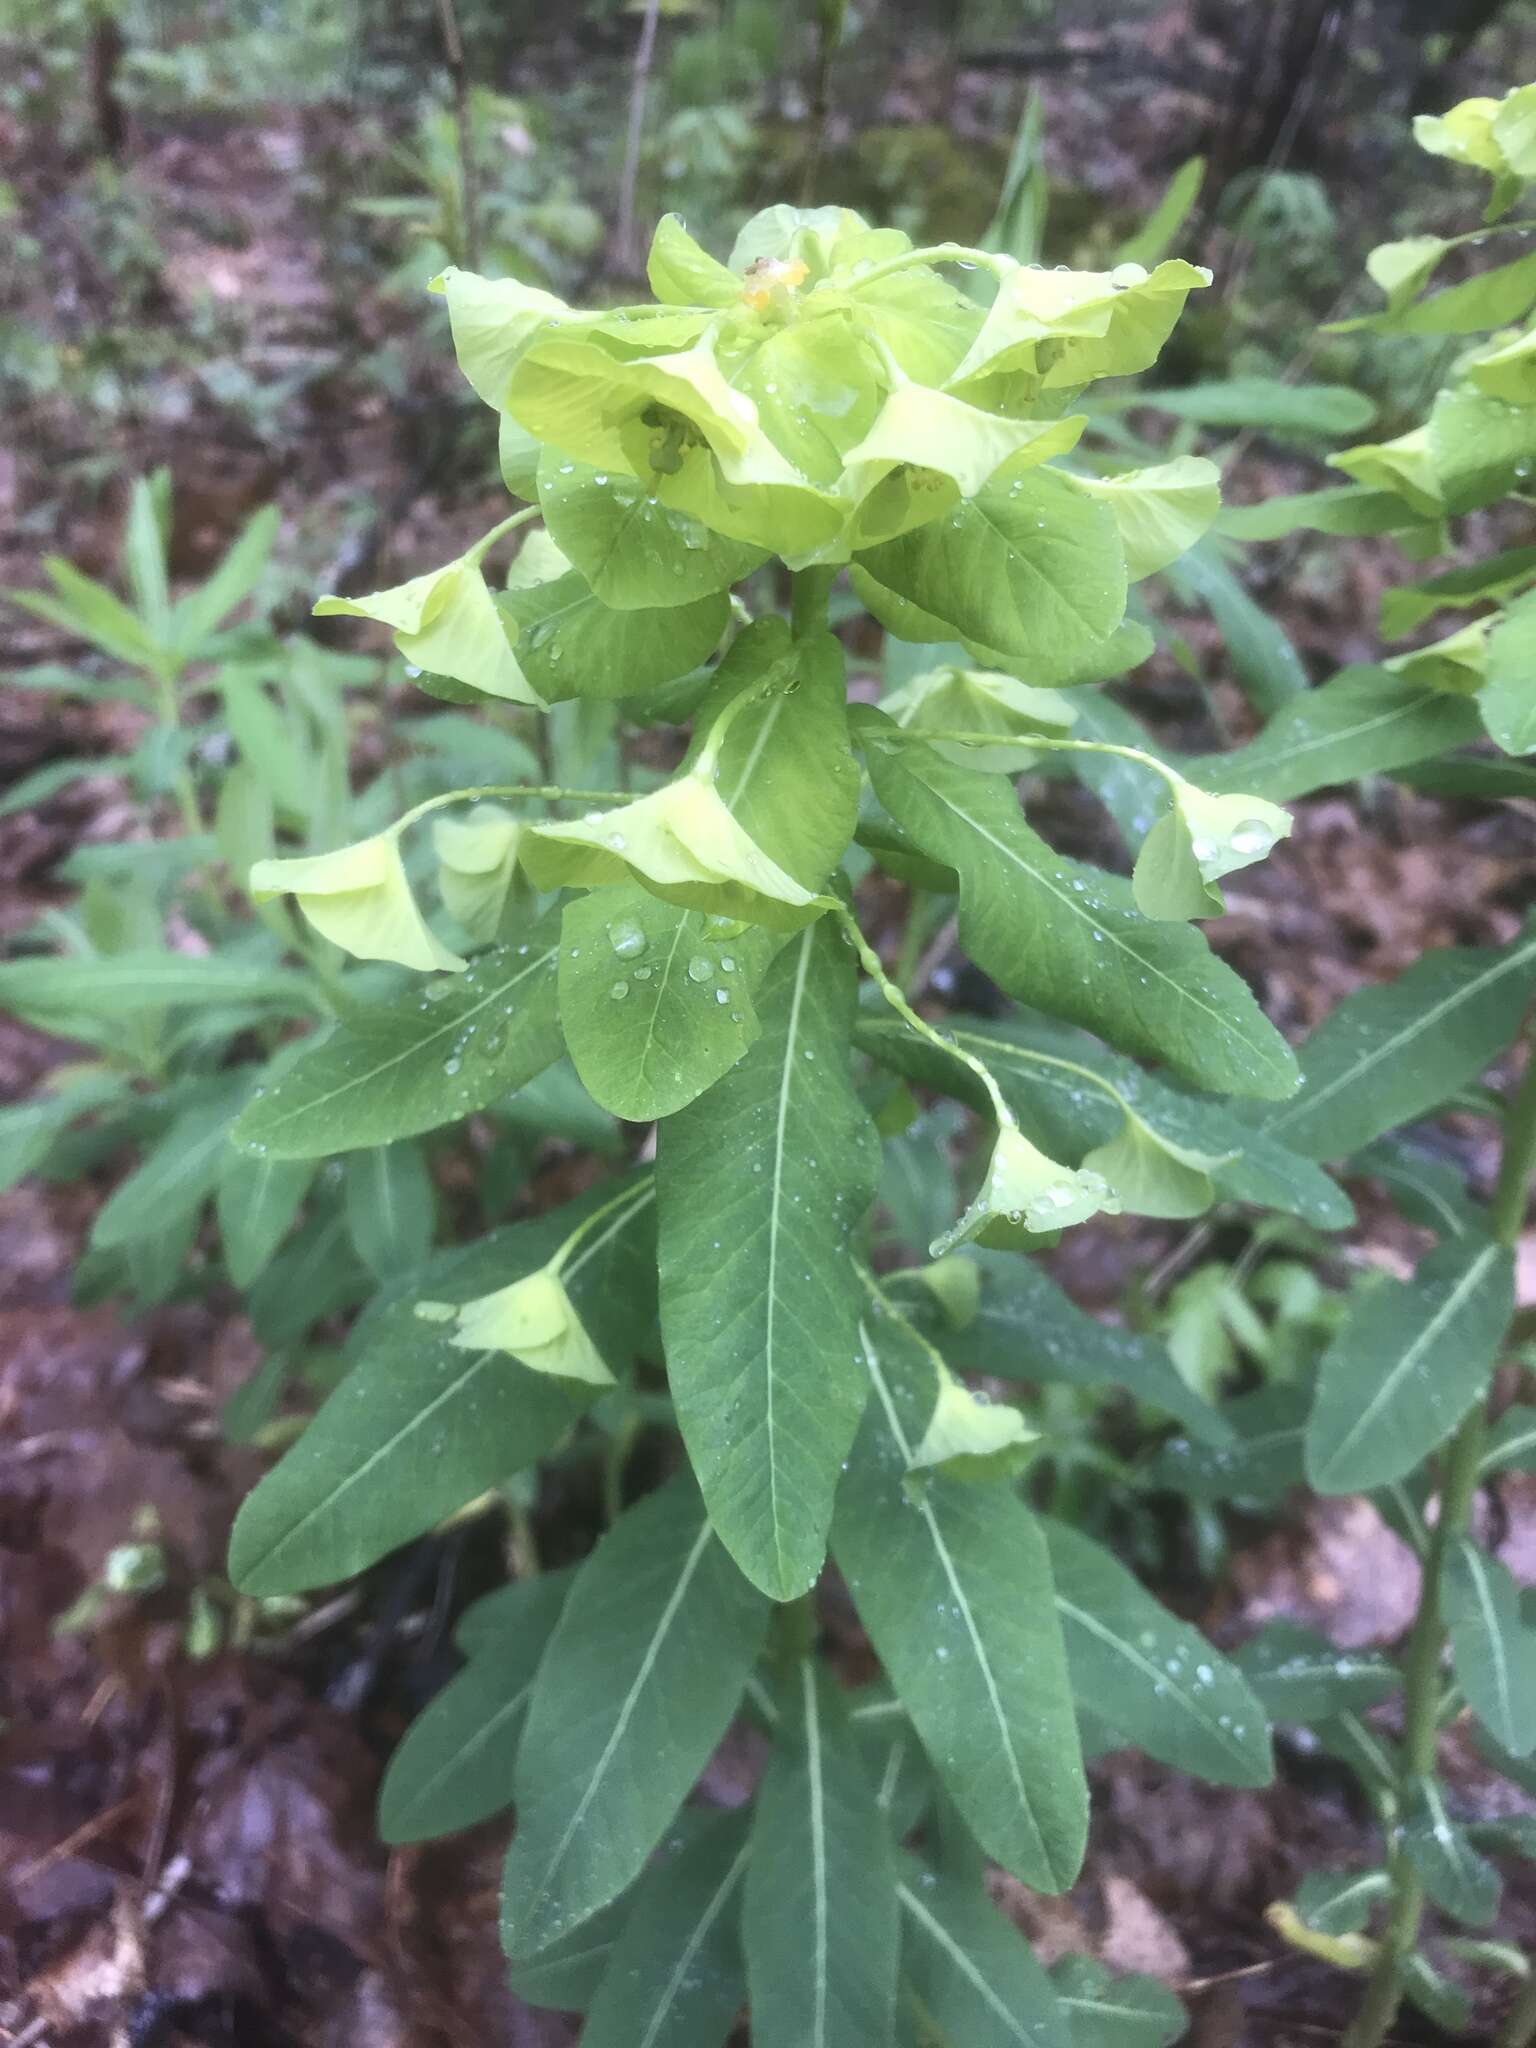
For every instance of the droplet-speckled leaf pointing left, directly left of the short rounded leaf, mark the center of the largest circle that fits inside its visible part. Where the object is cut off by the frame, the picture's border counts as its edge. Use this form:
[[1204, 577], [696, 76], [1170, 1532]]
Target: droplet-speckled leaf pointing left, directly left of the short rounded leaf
[[423, 1060]]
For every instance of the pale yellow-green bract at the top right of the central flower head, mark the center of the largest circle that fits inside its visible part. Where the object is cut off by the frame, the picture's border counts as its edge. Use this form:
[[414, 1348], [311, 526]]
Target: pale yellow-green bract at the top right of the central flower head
[[1062, 329]]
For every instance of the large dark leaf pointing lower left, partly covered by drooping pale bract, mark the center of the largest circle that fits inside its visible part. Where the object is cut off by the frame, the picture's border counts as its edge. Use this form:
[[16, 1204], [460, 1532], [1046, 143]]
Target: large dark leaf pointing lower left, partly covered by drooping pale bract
[[419, 1426]]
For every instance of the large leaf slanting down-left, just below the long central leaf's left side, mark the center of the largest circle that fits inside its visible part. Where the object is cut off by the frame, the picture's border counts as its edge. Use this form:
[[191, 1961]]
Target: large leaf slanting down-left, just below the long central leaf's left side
[[636, 1691]]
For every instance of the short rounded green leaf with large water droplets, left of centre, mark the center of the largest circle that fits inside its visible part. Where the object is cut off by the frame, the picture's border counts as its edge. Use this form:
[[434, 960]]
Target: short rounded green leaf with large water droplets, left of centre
[[658, 1000]]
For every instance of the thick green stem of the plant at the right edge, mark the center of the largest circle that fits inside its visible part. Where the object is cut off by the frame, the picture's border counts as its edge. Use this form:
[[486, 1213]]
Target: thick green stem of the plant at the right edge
[[1428, 1637]]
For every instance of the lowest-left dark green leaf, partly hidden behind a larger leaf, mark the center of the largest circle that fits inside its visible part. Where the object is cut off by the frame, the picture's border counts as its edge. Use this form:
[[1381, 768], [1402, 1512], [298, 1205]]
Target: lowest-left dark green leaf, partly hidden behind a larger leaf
[[454, 1766]]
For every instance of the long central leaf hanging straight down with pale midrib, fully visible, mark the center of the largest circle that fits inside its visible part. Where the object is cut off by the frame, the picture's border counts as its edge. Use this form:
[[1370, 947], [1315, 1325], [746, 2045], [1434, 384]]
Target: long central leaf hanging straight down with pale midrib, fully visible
[[761, 1187]]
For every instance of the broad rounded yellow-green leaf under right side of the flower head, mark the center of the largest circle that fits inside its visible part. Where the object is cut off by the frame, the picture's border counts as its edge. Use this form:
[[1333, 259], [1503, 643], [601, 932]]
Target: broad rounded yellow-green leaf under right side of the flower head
[[1031, 566]]
